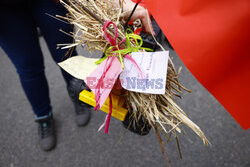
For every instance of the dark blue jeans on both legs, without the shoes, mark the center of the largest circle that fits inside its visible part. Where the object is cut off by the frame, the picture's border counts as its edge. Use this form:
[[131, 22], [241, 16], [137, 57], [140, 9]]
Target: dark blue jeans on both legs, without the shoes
[[19, 39]]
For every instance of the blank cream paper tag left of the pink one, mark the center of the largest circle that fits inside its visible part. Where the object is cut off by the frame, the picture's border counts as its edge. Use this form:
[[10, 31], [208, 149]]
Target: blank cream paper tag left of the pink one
[[78, 66]]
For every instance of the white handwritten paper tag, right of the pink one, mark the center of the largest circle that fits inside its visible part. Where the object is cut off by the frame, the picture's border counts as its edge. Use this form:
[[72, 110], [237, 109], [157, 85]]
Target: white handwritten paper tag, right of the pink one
[[154, 68]]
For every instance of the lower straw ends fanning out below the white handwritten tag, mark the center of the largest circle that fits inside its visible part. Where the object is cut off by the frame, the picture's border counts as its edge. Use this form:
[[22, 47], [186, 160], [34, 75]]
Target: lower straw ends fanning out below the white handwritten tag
[[161, 110]]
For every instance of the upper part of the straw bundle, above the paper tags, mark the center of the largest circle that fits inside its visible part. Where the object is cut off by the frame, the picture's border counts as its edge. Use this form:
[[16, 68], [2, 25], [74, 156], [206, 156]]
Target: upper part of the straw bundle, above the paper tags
[[89, 30]]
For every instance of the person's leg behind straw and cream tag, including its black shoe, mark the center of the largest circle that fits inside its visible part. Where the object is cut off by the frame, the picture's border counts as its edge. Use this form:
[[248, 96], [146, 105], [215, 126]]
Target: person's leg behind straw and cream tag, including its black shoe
[[50, 30]]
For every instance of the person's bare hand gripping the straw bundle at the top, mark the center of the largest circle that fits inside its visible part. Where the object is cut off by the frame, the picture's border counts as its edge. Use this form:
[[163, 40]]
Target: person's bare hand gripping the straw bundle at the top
[[140, 13]]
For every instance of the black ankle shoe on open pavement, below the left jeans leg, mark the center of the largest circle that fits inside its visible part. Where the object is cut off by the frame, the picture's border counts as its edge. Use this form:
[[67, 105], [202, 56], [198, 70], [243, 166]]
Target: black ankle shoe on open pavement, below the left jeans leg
[[46, 132]]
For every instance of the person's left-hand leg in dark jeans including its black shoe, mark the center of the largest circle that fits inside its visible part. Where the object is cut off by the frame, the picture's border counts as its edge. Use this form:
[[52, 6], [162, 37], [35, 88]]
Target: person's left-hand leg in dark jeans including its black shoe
[[18, 38]]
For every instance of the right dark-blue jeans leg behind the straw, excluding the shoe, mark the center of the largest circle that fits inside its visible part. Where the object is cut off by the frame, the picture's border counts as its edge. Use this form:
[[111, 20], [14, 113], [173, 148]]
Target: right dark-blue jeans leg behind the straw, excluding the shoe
[[50, 29]]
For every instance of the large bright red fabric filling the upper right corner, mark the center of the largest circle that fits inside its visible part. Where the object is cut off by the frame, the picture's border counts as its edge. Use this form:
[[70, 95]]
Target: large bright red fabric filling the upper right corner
[[212, 38]]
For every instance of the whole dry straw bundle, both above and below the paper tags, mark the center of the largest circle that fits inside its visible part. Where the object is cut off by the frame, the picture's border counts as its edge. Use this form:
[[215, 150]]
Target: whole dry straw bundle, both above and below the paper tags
[[160, 111]]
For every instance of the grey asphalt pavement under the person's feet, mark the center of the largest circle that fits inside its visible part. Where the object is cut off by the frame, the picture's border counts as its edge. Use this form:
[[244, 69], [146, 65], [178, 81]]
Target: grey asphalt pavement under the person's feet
[[84, 147]]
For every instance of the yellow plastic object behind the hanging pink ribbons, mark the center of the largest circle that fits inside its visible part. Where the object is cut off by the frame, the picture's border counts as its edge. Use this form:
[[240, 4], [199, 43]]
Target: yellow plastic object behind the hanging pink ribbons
[[117, 102]]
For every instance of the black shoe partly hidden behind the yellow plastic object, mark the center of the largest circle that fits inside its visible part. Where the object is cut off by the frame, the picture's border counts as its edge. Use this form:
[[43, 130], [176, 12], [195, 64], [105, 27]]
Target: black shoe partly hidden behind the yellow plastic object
[[82, 109]]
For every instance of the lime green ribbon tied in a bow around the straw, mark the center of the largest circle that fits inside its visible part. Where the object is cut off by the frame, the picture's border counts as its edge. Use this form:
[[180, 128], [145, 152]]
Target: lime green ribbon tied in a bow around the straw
[[120, 52]]
